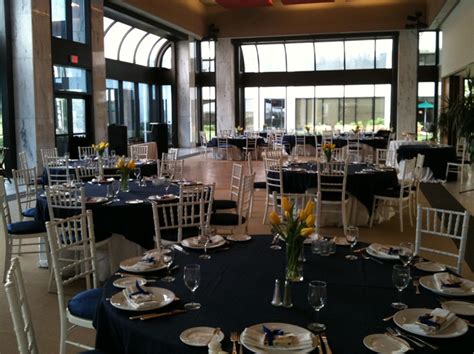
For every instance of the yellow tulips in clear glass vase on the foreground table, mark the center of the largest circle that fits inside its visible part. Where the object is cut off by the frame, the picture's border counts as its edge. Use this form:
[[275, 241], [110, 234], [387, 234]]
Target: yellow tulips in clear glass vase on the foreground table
[[294, 227]]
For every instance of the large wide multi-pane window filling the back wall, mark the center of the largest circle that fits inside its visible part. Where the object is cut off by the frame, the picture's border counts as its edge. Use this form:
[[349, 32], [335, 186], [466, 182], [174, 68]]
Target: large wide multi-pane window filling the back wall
[[330, 83]]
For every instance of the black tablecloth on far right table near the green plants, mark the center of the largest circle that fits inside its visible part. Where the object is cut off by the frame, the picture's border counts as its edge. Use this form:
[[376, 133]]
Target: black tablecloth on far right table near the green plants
[[436, 156]]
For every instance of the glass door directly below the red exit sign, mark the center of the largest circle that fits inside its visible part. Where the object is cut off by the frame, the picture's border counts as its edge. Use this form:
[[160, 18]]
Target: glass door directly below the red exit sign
[[70, 120]]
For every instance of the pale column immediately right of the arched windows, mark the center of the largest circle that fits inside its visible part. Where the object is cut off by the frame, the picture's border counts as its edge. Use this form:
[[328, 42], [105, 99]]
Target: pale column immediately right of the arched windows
[[186, 94]]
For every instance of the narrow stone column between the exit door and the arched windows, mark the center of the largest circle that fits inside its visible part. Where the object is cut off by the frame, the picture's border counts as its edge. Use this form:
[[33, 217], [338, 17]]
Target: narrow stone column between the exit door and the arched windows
[[98, 70]]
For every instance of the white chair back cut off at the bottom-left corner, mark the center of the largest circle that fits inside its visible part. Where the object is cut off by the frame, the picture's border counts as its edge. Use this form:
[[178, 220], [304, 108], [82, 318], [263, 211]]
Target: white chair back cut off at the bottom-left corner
[[19, 309]]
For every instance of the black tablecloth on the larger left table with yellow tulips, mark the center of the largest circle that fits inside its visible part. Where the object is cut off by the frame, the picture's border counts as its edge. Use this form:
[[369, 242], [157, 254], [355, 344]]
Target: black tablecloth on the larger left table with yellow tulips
[[134, 221]]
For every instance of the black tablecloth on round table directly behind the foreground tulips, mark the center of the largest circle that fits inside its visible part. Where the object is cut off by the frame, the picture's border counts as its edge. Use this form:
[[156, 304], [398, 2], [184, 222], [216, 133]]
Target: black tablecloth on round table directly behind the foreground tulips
[[362, 186]]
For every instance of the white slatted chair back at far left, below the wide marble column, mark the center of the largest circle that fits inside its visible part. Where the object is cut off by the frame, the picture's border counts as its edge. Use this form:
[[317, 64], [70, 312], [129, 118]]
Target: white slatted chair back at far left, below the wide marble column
[[25, 189]]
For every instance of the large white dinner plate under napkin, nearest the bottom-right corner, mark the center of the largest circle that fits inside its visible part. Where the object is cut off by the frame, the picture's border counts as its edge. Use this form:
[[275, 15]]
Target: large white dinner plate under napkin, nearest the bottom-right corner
[[410, 316]]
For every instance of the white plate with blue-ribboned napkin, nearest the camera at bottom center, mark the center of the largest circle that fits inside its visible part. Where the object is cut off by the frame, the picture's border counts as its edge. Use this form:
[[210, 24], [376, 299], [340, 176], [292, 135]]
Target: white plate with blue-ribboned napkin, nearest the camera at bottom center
[[260, 339]]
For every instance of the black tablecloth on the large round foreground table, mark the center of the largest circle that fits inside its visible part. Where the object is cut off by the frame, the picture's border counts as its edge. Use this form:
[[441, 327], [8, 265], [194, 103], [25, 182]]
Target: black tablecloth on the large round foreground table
[[236, 290]]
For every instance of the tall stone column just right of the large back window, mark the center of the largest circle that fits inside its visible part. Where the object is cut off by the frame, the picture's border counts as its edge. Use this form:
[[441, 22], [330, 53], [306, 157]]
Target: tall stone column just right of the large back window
[[407, 82]]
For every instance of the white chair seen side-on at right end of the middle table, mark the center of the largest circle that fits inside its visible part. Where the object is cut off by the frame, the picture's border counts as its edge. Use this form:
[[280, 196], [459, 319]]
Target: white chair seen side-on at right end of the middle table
[[400, 197]]
